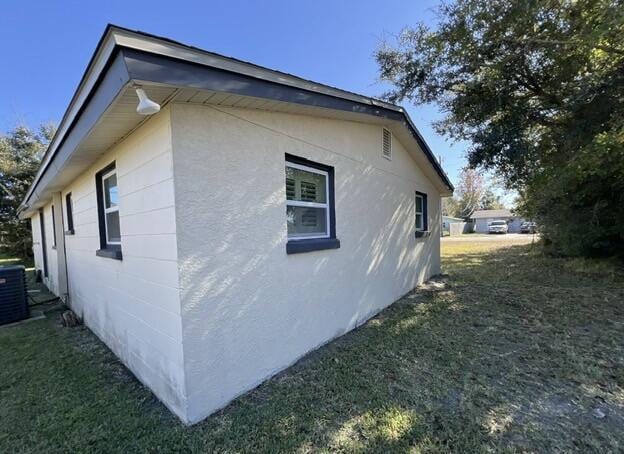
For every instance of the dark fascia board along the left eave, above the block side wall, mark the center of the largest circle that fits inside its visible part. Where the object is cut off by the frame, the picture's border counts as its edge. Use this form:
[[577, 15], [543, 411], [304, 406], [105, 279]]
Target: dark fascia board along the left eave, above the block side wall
[[108, 86]]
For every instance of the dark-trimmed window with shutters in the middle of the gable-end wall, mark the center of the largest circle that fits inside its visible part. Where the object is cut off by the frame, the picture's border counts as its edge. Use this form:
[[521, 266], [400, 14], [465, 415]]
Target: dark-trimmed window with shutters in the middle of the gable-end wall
[[310, 213]]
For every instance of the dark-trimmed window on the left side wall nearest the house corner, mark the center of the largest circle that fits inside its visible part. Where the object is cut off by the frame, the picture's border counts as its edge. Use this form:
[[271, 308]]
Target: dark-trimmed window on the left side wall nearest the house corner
[[108, 212]]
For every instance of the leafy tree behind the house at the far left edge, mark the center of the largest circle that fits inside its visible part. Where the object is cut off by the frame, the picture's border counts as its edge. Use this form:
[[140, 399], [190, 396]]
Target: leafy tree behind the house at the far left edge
[[20, 153]]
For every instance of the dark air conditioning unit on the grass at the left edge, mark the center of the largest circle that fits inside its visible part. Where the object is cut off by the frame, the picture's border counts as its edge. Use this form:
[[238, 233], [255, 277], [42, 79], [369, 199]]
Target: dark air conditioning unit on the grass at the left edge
[[13, 299]]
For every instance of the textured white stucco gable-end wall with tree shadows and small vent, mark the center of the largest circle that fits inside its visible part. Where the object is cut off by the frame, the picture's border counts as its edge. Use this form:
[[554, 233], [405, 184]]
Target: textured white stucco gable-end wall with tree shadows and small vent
[[248, 308]]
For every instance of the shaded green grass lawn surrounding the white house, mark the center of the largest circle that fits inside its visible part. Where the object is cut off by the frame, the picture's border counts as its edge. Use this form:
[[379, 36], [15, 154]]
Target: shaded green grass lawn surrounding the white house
[[518, 352]]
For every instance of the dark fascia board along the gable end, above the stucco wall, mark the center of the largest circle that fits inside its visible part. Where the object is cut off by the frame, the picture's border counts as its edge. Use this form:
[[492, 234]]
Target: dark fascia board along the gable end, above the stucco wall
[[154, 68]]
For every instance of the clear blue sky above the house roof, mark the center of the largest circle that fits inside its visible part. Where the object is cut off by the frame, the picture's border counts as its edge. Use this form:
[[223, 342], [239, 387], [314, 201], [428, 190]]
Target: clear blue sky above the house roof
[[46, 45]]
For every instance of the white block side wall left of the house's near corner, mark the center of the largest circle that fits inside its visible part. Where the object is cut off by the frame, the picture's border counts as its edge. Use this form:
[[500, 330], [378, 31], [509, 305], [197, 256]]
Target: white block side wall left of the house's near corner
[[133, 305]]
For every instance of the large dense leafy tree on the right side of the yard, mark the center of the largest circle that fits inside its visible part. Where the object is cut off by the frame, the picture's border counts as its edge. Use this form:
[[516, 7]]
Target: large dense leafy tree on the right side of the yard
[[538, 89]]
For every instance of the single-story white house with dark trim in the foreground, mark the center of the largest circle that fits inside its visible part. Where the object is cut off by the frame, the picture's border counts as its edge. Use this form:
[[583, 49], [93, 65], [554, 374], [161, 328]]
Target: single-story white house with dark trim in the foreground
[[212, 221]]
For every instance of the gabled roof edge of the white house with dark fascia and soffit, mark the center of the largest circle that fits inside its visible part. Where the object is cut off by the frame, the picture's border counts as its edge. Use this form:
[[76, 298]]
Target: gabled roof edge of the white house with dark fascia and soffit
[[124, 57]]
